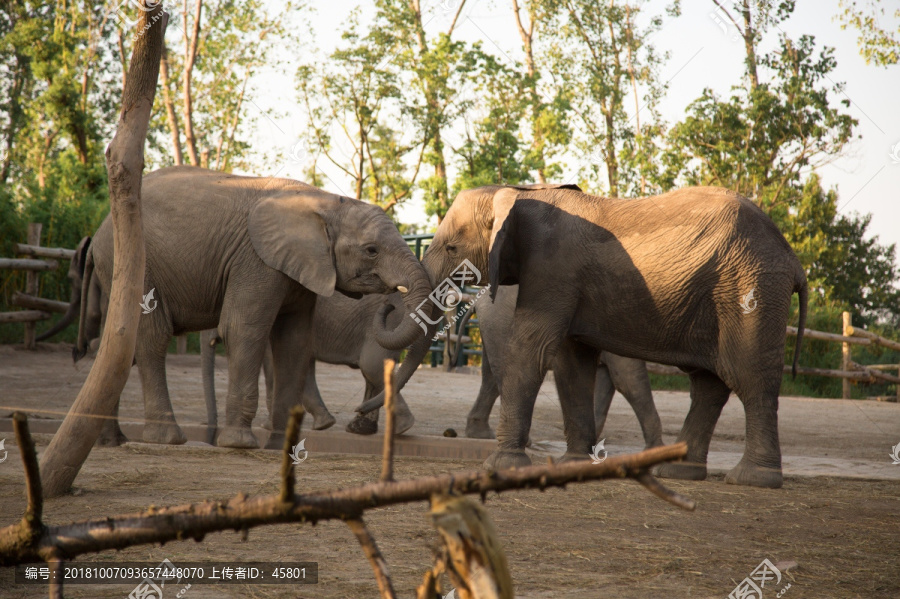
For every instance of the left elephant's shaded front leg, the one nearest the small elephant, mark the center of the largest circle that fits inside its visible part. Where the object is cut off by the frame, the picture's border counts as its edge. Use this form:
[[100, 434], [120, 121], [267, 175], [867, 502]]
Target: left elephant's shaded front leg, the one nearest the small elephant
[[291, 355]]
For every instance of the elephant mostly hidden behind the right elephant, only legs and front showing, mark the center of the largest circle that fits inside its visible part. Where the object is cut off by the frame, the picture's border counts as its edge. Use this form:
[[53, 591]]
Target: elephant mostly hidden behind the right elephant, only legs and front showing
[[627, 375]]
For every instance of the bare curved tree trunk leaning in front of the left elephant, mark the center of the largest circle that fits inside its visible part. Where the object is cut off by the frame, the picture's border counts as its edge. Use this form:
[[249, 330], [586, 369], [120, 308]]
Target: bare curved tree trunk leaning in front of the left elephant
[[72, 443]]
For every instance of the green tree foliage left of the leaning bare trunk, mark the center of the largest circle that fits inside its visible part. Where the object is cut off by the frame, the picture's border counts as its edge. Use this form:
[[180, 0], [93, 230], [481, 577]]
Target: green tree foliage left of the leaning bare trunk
[[57, 108]]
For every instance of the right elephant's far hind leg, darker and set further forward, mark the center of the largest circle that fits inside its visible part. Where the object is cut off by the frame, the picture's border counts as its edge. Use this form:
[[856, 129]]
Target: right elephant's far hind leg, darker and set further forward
[[708, 396]]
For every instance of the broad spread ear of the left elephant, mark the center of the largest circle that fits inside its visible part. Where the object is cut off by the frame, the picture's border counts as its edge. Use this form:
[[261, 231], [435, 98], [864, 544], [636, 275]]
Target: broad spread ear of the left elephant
[[290, 235]]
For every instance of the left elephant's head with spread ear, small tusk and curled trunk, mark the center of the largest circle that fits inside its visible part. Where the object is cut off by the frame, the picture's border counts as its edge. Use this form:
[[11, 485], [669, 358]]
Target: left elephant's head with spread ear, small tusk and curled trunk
[[327, 243]]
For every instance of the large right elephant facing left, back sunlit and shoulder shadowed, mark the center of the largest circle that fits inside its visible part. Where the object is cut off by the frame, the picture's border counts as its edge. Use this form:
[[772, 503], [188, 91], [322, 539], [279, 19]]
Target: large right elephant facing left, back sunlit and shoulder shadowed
[[699, 278]]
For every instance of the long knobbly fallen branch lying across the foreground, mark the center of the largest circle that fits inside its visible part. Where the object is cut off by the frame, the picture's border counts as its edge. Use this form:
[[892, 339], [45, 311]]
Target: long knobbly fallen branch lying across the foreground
[[19, 543]]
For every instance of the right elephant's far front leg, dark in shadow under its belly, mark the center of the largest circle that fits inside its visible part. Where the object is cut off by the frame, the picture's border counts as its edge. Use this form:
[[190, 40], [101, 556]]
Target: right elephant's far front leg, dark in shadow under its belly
[[575, 370]]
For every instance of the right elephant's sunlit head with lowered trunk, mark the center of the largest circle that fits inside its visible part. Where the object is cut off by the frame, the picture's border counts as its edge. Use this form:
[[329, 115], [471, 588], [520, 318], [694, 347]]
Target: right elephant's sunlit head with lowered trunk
[[466, 233]]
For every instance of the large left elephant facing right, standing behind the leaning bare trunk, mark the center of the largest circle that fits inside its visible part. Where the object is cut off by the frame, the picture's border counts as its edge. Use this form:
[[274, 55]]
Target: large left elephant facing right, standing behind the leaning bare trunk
[[250, 256]]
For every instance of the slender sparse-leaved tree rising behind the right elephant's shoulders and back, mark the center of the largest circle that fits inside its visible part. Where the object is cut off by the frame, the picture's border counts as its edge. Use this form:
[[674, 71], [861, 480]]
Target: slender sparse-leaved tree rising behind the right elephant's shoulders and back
[[600, 58]]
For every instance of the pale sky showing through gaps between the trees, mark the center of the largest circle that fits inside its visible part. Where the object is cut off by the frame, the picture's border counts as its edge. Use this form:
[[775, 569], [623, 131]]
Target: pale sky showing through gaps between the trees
[[702, 53]]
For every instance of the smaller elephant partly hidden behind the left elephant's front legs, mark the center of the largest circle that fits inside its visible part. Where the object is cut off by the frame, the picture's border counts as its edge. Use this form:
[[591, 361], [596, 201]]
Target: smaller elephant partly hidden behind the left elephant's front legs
[[343, 333]]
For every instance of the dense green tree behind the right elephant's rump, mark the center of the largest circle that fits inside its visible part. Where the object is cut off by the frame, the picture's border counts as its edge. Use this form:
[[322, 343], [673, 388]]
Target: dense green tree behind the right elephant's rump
[[766, 140]]
